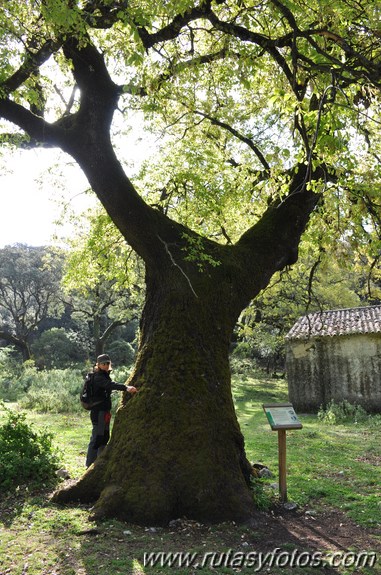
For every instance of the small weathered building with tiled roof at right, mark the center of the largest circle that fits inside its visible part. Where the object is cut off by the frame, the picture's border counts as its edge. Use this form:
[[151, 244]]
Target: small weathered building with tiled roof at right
[[335, 355]]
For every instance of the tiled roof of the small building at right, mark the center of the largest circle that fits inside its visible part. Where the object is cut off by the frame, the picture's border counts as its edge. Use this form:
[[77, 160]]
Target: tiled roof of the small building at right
[[338, 322]]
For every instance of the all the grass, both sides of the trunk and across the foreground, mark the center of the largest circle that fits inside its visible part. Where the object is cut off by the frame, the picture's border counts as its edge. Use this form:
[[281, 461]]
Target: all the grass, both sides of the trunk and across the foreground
[[327, 466]]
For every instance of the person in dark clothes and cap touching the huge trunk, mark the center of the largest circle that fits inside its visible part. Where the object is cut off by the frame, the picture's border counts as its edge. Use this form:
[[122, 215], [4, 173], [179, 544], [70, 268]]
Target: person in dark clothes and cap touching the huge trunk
[[100, 414]]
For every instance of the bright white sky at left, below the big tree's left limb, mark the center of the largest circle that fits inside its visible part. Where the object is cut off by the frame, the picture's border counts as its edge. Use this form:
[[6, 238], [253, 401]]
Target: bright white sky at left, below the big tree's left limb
[[33, 197]]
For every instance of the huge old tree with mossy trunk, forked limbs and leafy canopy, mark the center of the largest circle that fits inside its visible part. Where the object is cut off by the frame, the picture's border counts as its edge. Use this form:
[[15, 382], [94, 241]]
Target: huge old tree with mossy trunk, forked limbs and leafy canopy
[[261, 106]]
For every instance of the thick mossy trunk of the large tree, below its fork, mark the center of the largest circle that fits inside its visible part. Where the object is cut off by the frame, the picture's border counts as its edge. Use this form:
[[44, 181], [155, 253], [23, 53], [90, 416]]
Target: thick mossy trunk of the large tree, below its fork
[[176, 447]]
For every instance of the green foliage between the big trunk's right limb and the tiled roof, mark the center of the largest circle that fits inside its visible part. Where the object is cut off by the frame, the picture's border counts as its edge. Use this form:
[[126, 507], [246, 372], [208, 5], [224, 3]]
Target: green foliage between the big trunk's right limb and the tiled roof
[[320, 280]]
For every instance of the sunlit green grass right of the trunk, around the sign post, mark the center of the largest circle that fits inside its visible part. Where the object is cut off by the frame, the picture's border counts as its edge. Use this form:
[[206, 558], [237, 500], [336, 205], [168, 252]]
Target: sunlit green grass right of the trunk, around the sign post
[[337, 465]]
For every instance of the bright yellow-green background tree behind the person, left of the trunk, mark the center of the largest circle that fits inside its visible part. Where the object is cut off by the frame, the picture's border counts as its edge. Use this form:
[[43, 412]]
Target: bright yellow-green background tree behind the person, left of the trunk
[[101, 280]]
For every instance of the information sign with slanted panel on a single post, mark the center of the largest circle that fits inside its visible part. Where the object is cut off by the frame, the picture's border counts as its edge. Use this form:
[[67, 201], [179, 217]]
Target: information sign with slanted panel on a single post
[[281, 416]]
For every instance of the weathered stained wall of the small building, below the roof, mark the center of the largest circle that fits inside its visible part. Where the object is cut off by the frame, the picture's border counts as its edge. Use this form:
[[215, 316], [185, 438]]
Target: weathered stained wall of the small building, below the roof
[[338, 368]]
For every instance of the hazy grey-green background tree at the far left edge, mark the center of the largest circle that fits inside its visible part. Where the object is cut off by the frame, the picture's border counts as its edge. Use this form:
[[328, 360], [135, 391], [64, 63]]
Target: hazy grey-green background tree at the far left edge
[[29, 289]]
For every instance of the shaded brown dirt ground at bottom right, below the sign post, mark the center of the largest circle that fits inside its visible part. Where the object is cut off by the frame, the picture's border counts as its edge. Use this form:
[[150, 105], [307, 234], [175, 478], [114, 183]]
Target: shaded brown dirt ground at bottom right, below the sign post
[[327, 531]]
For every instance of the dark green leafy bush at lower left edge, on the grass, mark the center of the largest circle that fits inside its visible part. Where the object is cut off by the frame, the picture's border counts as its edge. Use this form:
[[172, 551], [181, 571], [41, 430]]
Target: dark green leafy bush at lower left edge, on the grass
[[26, 456]]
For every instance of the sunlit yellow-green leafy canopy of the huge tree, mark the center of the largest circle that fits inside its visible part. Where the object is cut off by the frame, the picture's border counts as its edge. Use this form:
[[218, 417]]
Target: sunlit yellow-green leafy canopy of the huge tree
[[244, 93]]
